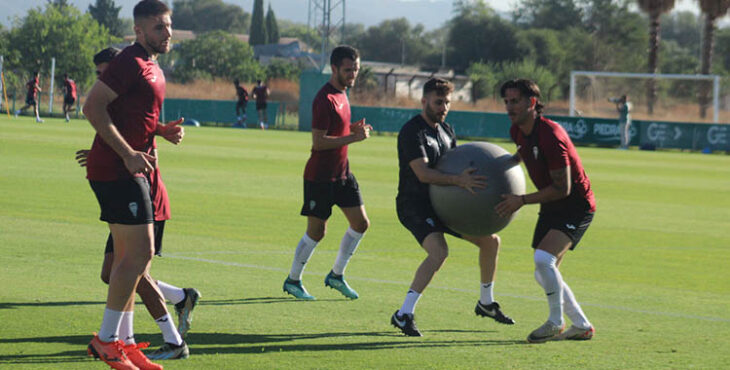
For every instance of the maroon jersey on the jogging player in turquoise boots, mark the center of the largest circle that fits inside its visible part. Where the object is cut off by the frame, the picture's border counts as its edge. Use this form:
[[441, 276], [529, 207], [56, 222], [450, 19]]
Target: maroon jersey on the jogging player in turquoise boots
[[331, 112]]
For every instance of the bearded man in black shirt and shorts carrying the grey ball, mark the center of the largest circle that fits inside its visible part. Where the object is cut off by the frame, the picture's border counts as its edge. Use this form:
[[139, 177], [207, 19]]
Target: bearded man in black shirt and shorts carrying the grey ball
[[421, 142]]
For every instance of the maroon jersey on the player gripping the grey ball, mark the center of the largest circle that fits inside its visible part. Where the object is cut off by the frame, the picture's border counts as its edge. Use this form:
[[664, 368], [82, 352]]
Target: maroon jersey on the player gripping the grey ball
[[549, 148]]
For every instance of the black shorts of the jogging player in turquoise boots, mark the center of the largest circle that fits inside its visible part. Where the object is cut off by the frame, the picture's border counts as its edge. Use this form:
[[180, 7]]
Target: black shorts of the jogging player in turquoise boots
[[319, 197]]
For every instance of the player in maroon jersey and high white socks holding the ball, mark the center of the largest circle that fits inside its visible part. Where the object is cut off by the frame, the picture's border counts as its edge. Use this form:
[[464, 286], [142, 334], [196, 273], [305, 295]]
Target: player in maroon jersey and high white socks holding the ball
[[567, 204]]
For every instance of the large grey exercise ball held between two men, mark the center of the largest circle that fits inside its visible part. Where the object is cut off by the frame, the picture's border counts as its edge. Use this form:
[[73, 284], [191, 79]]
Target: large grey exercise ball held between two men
[[473, 214]]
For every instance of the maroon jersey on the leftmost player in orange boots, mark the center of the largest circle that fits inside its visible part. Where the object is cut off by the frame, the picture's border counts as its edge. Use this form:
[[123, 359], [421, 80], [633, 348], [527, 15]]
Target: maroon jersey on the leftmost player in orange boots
[[140, 86]]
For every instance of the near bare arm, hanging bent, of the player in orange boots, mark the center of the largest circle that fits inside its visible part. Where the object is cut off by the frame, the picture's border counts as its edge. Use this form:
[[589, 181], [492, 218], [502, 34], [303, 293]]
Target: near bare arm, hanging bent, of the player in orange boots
[[95, 111]]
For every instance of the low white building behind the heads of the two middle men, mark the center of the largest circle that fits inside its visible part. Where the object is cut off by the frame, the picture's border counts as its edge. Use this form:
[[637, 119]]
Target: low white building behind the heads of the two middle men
[[407, 81]]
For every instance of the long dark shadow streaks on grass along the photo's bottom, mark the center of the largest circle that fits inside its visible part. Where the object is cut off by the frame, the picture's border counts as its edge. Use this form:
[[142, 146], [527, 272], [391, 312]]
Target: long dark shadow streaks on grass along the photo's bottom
[[227, 343]]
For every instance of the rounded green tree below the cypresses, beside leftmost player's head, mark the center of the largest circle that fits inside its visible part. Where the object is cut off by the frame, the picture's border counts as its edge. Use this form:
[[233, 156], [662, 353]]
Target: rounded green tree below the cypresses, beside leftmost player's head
[[216, 54]]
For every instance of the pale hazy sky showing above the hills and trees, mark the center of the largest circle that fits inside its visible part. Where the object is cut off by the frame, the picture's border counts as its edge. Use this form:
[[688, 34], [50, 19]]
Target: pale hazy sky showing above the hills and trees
[[430, 13]]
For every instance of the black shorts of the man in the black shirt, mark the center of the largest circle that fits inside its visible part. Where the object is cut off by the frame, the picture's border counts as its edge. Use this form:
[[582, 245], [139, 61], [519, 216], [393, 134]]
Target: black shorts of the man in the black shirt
[[420, 219]]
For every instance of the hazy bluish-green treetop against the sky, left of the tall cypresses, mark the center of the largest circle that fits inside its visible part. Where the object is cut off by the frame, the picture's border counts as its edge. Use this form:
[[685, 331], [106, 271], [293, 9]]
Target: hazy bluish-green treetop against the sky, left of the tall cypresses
[[208, 15]]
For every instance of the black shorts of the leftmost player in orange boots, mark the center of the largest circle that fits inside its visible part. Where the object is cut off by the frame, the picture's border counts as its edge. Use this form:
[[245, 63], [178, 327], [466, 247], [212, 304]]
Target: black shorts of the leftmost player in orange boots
[[125, 202]]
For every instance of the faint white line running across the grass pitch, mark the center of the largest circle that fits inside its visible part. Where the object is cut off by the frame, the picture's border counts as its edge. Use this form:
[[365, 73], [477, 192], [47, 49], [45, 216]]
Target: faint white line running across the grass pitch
[[406, 284]]
